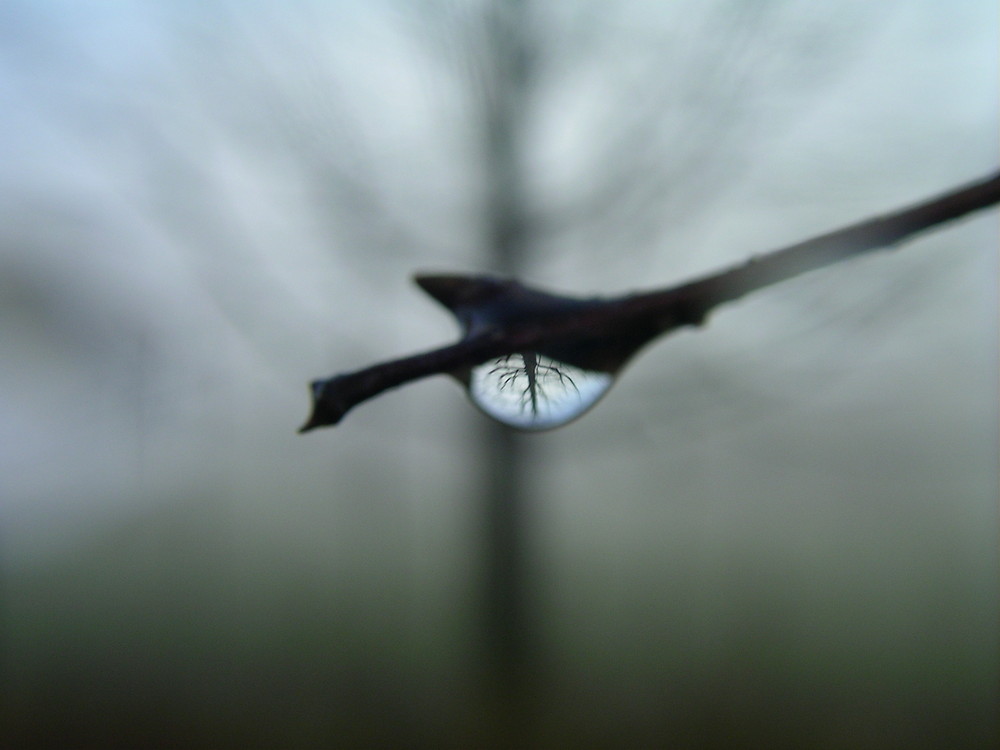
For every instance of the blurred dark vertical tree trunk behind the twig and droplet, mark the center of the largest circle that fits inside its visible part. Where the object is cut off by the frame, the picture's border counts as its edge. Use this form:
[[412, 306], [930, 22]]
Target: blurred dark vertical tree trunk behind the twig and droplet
[[508, 632]]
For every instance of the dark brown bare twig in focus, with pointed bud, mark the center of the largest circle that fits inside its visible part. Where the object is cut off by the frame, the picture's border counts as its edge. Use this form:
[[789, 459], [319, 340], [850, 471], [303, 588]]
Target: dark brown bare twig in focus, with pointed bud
[[501, 316]]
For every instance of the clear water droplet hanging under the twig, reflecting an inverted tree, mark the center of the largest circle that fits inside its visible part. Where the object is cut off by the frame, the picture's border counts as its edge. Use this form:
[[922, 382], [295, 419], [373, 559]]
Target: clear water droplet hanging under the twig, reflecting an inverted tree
[[533, 392]]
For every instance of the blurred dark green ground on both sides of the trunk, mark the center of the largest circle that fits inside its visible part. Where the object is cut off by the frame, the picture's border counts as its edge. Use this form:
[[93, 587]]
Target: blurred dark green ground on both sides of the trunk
[[158, 634]]
